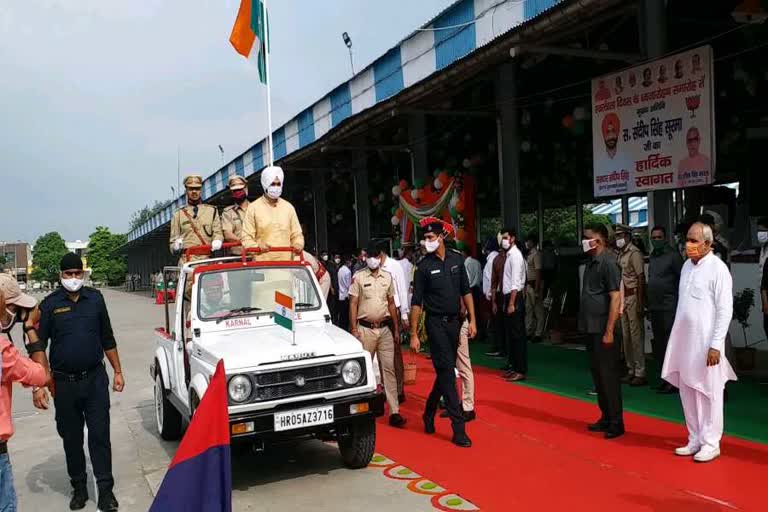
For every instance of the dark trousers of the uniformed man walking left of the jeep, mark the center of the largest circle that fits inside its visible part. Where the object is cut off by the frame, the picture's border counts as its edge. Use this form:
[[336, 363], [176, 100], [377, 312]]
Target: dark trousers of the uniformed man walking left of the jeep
[[80, 403]]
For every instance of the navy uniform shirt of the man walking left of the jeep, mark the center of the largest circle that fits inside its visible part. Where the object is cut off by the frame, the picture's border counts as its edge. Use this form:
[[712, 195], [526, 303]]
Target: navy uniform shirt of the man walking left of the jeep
[[79, 332]]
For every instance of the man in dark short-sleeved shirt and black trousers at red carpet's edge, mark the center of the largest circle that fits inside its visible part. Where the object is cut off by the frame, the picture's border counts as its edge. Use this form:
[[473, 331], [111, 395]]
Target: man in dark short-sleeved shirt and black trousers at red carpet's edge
[[598, 314]]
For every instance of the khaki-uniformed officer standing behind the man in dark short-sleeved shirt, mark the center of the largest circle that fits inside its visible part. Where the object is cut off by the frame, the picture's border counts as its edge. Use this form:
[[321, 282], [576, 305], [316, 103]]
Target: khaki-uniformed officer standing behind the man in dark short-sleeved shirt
[[632, 320]]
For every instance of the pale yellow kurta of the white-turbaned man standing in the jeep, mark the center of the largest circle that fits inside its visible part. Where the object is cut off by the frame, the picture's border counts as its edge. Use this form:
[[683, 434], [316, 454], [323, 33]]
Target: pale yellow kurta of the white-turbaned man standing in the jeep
[[275, 225]]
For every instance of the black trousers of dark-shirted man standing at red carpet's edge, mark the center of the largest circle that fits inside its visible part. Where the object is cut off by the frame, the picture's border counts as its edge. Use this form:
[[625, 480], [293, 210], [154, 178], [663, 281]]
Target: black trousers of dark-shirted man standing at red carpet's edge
[[604, 361]]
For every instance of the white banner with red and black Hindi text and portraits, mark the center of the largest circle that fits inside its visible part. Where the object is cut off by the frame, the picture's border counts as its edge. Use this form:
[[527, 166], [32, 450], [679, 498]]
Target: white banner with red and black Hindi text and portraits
[[653, 126]]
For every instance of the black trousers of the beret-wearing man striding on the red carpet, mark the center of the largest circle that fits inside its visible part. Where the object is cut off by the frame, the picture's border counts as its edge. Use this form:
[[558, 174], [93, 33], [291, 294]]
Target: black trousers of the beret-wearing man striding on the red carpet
[[444, 344]]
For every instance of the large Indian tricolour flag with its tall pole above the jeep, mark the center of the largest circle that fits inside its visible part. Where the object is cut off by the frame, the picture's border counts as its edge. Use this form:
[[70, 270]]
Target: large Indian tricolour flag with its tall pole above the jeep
[[250, 38]]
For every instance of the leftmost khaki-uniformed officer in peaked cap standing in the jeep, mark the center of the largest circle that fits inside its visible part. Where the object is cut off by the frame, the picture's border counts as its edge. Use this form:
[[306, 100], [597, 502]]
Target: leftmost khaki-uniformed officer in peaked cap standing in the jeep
[[195, 224]]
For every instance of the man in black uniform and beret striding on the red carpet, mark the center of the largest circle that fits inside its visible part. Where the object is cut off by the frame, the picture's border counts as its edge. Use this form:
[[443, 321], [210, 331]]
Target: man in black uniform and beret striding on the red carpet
[[440, 284]]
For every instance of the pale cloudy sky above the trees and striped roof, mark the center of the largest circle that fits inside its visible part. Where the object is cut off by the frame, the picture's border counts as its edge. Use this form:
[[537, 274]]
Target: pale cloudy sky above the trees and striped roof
[[97, 96]]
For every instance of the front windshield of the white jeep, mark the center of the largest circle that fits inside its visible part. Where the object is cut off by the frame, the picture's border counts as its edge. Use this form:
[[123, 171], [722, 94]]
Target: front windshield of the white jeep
[[251, 291]]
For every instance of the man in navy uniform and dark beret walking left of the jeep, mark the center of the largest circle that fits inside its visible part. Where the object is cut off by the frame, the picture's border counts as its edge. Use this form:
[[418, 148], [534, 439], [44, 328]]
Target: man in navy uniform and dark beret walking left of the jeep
[[76, 321]]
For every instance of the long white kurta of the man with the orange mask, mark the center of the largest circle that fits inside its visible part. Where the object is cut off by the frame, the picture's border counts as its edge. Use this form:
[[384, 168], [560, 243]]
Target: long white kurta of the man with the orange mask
[[704, 311]]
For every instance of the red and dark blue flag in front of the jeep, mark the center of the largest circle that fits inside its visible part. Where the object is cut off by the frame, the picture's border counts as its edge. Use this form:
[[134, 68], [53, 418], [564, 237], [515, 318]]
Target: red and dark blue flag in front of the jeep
[[200, 475]]
